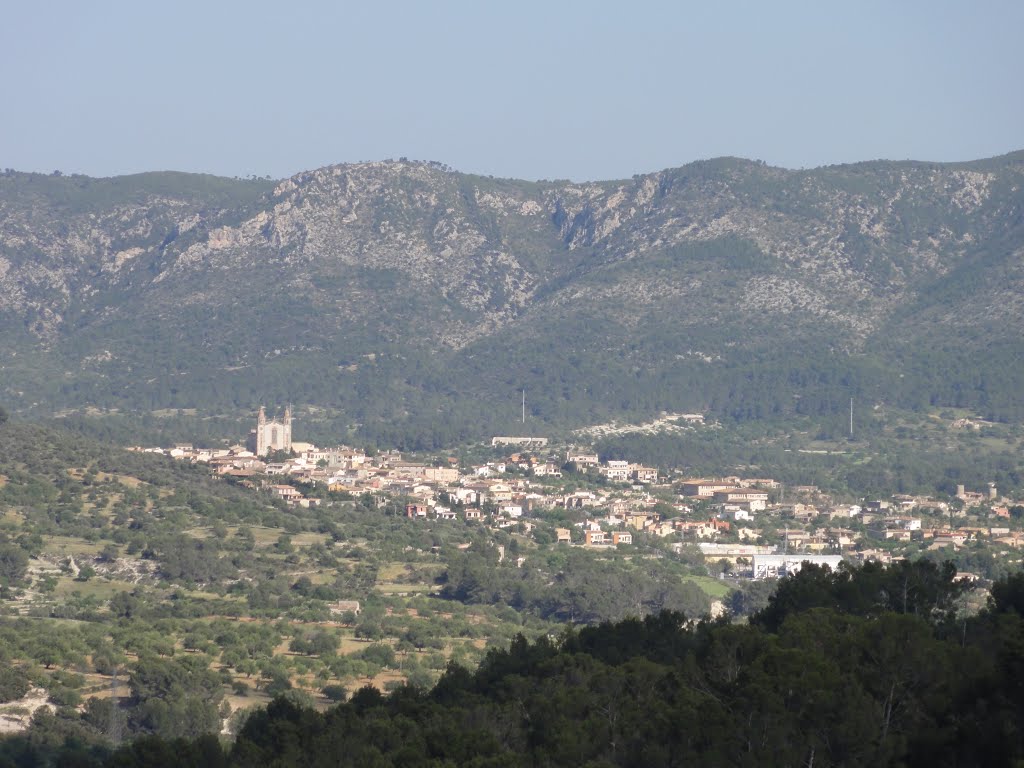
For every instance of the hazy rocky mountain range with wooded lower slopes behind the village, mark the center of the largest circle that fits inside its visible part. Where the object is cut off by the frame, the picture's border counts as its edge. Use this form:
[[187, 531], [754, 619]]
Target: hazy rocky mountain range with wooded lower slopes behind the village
[[417, 302]]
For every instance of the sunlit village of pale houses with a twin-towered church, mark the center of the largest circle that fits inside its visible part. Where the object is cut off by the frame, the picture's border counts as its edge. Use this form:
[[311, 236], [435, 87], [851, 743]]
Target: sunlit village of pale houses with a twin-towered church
[[744, 527]]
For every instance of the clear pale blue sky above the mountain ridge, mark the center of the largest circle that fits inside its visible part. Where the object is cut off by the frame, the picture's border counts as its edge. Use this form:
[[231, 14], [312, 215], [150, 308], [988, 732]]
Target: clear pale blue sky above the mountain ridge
[[525, 90]]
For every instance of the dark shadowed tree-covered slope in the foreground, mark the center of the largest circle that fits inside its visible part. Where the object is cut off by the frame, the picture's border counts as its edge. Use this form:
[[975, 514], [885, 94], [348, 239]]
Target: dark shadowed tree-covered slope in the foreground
[[862, 667]]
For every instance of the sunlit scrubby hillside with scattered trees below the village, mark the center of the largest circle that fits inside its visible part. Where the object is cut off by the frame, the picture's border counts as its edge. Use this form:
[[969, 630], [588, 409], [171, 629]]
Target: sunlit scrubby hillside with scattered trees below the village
[[141, 596]]
